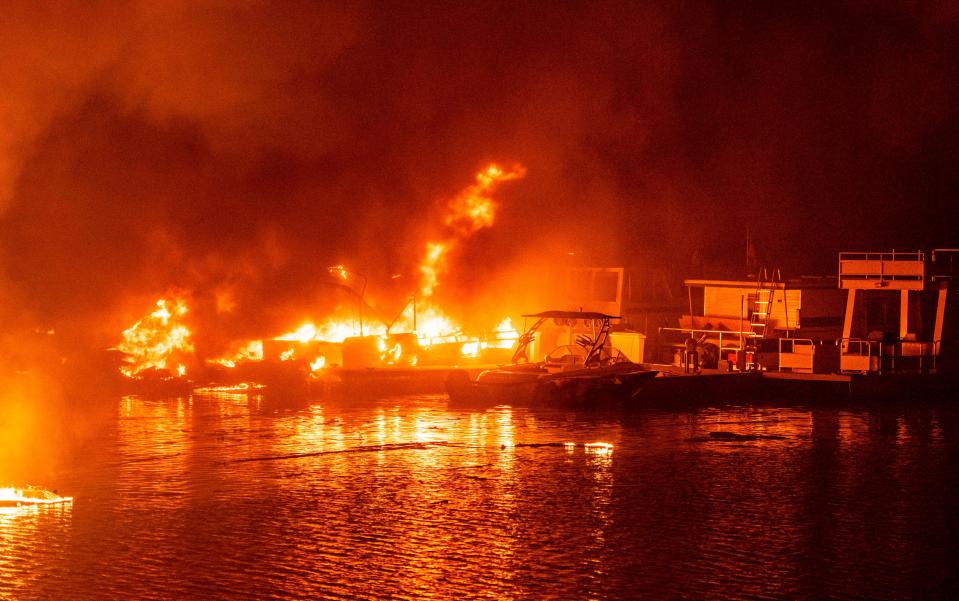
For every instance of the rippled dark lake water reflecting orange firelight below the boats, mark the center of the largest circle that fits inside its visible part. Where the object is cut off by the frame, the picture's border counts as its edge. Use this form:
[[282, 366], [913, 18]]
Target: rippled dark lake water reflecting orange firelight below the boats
[[233, 496]]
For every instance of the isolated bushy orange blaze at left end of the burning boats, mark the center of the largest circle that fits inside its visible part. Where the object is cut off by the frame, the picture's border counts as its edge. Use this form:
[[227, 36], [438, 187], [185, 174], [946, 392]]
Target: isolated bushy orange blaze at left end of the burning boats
[[151, 342]]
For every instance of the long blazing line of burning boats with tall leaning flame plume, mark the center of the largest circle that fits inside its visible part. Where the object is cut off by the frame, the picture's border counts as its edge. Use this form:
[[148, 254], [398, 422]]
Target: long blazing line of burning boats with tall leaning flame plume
[[158, 353]]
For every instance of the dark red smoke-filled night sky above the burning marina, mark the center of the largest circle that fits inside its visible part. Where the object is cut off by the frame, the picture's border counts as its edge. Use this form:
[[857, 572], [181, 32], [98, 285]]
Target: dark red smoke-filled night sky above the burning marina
[[242, 147]]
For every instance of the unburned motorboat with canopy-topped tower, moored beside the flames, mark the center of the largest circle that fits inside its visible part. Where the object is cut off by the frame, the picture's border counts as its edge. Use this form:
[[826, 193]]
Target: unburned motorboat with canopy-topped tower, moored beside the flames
[[585, 374]]
